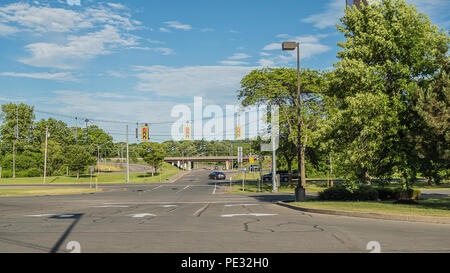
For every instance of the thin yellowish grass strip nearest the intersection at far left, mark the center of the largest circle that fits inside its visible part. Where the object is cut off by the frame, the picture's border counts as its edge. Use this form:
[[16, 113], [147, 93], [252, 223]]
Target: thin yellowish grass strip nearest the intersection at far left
[[44, 191]]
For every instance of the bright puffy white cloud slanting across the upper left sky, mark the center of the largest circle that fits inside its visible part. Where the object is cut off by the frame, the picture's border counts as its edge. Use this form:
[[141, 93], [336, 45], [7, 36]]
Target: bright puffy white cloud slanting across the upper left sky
[[76, 49]]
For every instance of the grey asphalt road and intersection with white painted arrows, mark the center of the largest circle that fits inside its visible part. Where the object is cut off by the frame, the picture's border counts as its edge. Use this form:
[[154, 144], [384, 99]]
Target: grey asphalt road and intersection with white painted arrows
[[196, 215]]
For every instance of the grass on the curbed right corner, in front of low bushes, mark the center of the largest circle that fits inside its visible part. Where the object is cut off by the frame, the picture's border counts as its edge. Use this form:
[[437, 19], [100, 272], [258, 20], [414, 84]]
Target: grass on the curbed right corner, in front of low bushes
[[426, 207]]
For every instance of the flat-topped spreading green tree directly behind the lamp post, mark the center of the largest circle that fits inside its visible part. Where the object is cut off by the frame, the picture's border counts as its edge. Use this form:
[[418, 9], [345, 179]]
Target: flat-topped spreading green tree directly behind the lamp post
[[278, 86]]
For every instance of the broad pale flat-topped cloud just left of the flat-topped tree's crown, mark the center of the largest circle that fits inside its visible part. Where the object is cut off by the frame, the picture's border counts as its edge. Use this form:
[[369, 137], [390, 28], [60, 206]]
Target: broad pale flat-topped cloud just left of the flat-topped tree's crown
[[214, 81]]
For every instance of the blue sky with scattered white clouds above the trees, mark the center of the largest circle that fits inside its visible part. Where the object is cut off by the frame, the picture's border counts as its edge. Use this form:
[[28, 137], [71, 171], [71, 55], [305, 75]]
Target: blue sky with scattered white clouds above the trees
[[135, 60]]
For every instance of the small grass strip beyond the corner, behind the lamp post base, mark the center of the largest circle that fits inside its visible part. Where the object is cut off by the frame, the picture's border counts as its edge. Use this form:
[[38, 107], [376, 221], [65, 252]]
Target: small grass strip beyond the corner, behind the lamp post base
[[267, 188]]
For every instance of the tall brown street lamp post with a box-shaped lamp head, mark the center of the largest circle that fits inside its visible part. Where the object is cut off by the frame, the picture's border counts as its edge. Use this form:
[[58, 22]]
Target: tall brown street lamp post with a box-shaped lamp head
[[300, 191]]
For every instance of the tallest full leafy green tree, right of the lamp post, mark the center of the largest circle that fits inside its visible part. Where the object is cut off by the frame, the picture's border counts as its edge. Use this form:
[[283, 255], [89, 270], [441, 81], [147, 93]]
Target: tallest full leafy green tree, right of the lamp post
[[390, 50]]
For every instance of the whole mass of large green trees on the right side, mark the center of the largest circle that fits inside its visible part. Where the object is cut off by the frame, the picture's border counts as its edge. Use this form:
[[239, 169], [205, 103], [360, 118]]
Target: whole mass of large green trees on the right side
[[384, 109]]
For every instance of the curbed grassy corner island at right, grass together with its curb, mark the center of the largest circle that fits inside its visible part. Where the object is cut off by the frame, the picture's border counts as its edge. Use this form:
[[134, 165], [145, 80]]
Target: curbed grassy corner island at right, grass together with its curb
[[309, 207]]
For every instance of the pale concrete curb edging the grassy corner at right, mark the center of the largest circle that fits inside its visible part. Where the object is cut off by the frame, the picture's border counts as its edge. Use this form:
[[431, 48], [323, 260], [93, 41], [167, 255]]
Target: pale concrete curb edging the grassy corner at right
[[372, 215]]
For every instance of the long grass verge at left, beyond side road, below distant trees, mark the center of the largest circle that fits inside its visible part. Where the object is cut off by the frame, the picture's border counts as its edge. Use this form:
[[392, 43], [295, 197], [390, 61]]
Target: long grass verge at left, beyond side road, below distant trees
[[103, 178]]
